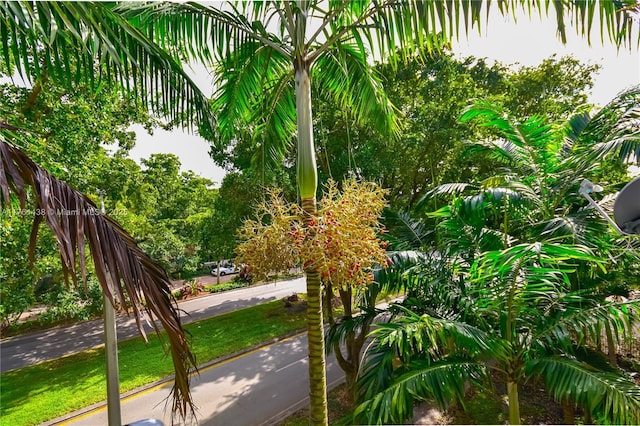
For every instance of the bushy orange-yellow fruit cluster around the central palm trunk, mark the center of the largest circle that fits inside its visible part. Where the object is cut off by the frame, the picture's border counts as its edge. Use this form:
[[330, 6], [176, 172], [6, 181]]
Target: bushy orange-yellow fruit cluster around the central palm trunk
[[341, 240]]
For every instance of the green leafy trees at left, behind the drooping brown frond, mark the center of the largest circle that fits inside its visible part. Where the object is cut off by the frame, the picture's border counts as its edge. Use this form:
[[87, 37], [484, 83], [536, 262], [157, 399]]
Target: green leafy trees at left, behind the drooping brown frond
[[164, 209]]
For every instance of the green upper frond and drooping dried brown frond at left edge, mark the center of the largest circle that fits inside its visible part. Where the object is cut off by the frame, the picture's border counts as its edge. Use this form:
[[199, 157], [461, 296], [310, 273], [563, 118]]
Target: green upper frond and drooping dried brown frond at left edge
[[91, 44]]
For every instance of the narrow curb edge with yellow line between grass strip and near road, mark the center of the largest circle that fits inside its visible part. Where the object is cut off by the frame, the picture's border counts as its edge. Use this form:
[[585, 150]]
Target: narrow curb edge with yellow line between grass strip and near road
[[159, 383]]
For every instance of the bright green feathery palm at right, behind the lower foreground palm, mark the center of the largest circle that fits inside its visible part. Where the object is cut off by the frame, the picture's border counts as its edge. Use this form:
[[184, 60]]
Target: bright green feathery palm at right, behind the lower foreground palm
[[540, 168]]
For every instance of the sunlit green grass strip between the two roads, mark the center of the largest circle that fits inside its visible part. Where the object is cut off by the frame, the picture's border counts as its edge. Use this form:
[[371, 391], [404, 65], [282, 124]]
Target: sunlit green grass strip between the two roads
[[44, 391]]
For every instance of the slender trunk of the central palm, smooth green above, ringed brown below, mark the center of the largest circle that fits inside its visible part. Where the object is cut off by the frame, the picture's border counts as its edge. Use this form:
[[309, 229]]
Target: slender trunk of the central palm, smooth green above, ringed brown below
[[307, 185]]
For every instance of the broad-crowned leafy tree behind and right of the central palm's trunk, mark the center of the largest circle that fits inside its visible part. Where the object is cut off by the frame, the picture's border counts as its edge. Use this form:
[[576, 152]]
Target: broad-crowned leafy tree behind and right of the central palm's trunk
[[432, 93]]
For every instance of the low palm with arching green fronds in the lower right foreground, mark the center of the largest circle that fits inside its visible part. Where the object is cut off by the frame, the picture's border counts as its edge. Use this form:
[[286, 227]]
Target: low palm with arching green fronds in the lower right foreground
[[518, 319]]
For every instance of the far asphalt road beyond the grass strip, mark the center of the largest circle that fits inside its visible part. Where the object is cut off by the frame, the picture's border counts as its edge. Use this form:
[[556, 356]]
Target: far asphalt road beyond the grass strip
[[33, 348]]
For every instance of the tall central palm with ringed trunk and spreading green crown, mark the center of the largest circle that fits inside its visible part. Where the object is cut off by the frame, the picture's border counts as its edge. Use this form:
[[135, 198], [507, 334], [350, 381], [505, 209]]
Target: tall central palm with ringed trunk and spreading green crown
[[266, 53]]
